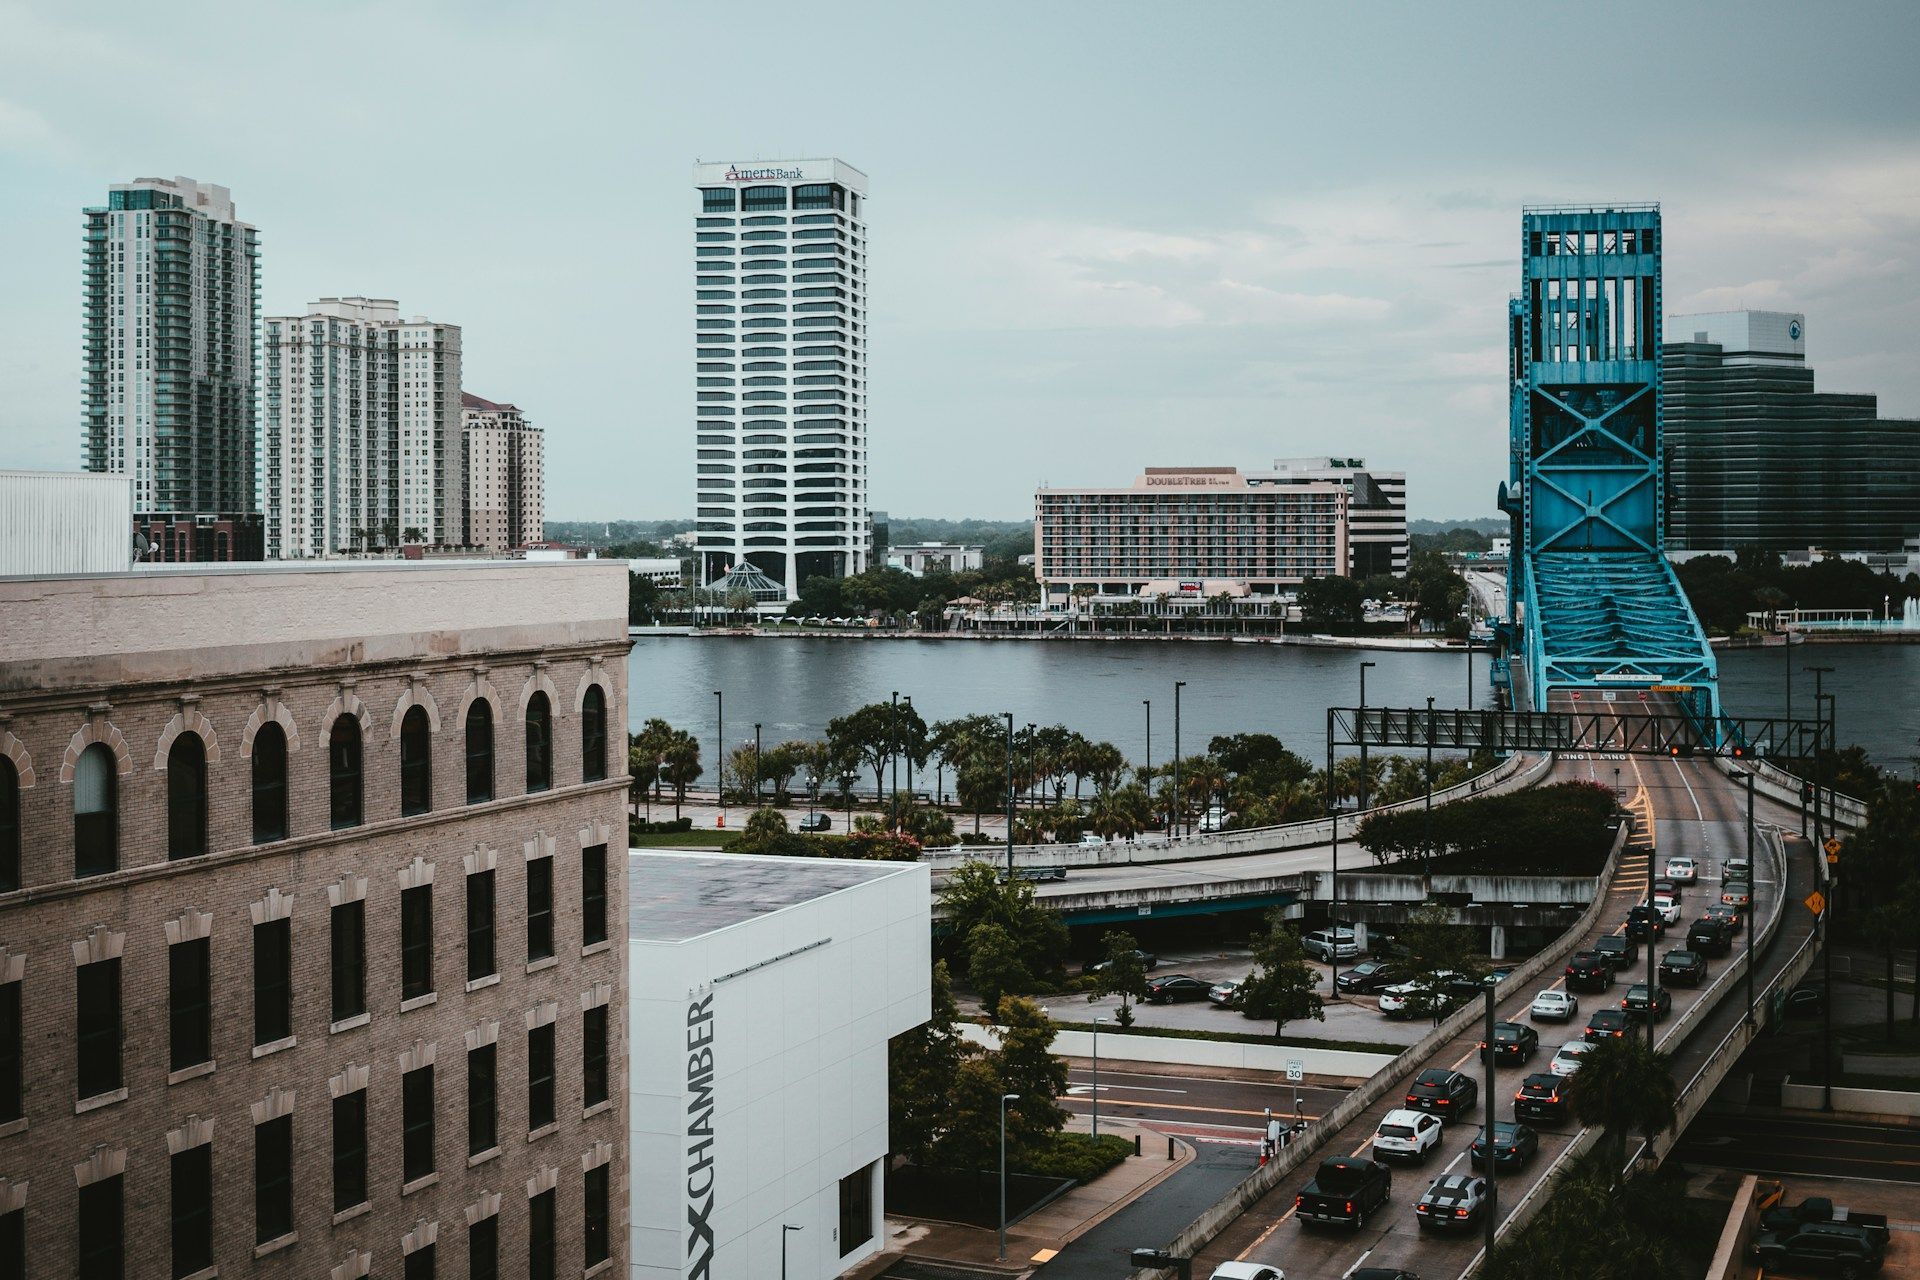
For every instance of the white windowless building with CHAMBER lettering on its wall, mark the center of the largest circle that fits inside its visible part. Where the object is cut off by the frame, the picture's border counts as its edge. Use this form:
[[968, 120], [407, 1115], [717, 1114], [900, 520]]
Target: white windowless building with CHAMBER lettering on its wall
[[763, 993]]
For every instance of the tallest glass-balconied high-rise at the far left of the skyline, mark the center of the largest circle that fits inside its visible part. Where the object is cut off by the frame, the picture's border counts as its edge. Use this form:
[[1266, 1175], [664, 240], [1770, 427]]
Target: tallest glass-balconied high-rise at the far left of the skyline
[[172, 302]]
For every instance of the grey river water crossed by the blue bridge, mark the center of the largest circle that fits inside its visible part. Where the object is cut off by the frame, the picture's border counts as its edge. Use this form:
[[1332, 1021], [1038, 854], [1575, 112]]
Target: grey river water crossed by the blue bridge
[[794, 686]]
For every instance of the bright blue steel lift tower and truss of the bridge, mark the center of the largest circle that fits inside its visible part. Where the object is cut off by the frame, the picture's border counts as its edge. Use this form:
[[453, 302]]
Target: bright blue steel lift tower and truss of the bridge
[[1593, 602]]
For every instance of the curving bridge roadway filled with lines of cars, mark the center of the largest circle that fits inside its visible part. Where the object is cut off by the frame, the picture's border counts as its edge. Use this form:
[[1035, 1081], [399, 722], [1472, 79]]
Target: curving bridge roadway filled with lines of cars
[[1696, 811]]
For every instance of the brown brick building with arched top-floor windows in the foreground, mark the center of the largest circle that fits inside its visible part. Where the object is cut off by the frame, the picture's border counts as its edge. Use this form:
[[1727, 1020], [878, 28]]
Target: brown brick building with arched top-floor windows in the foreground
[[312, 926]]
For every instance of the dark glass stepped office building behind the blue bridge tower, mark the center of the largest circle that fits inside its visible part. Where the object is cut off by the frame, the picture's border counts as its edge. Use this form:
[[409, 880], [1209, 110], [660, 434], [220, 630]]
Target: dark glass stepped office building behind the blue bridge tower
[[1756, 458]]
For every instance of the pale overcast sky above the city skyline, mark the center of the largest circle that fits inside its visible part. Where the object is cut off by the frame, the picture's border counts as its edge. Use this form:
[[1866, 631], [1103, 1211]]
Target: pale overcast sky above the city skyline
[[1103, 237]]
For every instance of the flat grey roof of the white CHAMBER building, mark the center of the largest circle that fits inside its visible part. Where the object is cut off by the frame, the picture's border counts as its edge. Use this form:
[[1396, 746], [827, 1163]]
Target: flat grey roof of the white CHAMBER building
[[677, 897]]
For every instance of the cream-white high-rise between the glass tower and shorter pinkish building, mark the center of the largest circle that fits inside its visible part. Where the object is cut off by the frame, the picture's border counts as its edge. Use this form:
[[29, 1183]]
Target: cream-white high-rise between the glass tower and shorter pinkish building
[[362, 442]]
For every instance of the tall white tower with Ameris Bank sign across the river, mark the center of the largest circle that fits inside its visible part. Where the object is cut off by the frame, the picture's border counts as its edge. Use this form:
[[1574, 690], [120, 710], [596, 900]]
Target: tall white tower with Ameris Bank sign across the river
[[780, 369]]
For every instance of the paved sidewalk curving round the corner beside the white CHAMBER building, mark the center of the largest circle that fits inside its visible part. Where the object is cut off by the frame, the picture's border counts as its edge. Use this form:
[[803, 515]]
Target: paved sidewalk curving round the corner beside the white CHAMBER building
[[1045, 1231]]
